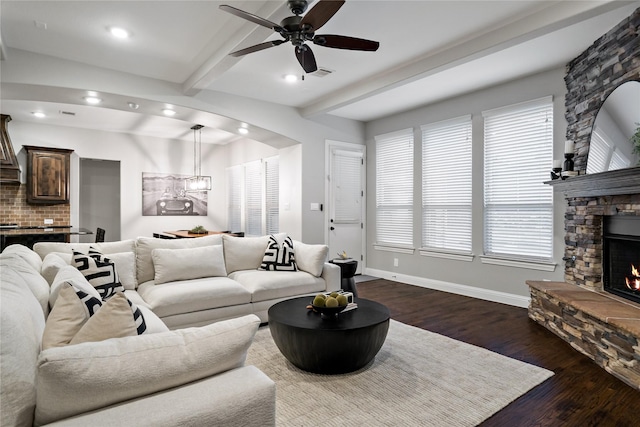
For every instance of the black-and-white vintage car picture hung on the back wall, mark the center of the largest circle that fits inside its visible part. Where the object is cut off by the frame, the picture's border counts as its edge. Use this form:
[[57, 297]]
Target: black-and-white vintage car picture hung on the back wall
[[164, 195]]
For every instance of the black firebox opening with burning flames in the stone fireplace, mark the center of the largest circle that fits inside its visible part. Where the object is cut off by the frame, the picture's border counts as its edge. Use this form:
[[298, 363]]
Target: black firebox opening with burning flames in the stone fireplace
[[621, 258]]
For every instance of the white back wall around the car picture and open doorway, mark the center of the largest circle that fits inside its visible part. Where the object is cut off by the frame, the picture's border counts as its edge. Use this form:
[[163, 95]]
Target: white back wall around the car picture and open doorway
[[146, 154]]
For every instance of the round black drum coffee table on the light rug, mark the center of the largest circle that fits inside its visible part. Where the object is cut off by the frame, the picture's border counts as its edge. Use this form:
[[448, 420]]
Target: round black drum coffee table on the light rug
[[328, 345]]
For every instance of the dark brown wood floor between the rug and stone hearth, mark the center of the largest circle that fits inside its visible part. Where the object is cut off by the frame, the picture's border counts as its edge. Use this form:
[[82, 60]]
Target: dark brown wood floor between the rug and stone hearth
[[579, 394]]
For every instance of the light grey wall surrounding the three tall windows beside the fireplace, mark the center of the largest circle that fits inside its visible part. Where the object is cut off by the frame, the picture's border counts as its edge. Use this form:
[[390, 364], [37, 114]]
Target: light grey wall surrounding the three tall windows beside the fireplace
[[489, 281]]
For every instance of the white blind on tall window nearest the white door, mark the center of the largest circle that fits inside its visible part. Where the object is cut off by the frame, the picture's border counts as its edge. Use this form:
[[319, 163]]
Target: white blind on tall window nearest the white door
[[394, 189]]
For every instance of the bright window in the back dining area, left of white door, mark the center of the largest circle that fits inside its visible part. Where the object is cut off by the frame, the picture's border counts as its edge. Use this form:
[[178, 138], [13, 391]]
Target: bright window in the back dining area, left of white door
[[253, 197]]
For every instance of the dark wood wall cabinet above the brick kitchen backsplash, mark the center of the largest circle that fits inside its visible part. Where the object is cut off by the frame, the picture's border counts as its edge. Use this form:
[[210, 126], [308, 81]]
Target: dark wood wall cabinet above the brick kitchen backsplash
[[47, 175]]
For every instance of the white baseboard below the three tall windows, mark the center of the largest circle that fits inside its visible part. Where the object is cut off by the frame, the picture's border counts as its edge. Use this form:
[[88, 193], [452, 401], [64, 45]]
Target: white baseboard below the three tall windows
[[454, 288]]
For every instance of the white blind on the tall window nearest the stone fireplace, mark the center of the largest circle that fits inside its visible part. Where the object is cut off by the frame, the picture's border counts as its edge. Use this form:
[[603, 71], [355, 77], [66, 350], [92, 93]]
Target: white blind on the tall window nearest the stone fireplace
[[518, 207]]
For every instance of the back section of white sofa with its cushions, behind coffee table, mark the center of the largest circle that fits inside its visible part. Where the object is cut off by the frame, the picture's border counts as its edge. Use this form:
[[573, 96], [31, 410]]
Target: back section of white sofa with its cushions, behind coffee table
[[194, 282]]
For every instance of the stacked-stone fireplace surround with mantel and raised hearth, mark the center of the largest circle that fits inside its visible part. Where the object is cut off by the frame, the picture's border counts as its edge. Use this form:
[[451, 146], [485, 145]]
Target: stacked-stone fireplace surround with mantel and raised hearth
[[603, 326]]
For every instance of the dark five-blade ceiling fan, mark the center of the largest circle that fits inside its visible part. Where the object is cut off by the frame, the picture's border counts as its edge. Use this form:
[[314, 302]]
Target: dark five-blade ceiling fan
[[298, 30]]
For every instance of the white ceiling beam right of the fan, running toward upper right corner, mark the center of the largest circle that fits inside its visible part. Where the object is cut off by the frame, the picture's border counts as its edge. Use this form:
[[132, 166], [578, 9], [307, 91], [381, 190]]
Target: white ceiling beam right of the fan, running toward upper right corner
[[548, 18]]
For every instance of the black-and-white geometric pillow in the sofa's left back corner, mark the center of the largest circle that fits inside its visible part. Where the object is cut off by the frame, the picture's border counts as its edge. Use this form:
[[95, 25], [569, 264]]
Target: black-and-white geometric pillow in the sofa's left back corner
[[99, 271]]
